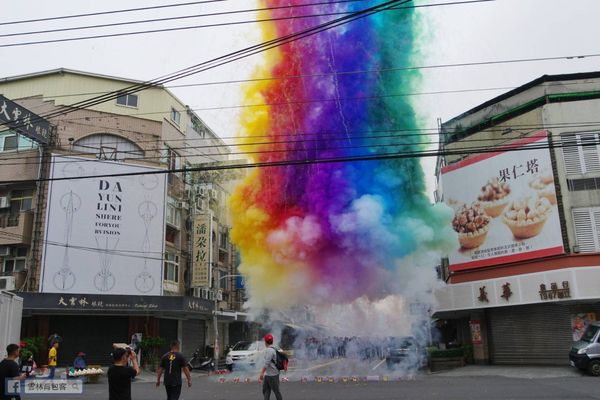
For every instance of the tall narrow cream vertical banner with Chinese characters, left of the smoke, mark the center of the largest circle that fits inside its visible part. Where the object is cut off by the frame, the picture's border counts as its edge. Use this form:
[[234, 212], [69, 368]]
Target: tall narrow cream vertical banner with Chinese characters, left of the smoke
[[201, 250]]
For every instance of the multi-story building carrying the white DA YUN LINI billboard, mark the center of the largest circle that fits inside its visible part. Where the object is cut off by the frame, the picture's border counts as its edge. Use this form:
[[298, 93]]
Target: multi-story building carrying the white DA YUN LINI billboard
[[99, 259]]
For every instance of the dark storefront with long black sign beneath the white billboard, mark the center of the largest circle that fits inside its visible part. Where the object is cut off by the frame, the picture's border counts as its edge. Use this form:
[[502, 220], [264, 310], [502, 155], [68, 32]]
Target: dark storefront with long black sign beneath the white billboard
[[91, 323]]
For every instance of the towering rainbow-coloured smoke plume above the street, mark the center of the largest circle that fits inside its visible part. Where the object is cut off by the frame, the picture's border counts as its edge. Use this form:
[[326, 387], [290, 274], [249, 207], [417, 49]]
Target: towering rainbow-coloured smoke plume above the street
[[332, 233]]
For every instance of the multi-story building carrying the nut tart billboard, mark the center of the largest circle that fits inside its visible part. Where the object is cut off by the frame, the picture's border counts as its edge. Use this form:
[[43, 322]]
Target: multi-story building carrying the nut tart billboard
[[522, 173]]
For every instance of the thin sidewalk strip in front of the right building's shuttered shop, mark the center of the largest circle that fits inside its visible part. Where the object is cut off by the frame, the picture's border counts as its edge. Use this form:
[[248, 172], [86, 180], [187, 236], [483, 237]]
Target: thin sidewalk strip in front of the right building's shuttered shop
[[509, 371]]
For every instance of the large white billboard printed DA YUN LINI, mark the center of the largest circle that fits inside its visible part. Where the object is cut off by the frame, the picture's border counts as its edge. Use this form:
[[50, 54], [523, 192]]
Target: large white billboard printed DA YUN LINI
[[104, 235]]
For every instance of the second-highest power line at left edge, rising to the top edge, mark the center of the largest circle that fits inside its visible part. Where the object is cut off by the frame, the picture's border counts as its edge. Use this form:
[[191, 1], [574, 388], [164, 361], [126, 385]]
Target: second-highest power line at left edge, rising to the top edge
[[214, 14]]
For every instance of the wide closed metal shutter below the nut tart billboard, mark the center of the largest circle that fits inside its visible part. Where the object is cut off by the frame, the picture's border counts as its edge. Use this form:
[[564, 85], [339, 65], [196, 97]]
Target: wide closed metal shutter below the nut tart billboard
[[537, 334]]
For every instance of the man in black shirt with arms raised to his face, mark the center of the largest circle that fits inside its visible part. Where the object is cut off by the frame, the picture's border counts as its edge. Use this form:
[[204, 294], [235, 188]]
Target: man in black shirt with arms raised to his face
[[120, 374]]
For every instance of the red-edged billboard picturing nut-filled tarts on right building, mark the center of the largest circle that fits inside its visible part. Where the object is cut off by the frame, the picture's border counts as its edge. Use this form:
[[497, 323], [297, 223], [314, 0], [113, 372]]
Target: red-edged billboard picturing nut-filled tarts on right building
[[504, 205]]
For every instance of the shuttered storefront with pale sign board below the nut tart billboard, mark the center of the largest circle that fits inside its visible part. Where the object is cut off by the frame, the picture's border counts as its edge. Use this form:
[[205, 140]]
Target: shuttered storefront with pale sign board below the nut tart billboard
[[524, 319]]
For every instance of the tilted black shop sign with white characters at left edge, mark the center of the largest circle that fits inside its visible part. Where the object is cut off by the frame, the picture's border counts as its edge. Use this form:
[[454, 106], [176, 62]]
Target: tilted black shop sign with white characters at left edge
[[23, 121]]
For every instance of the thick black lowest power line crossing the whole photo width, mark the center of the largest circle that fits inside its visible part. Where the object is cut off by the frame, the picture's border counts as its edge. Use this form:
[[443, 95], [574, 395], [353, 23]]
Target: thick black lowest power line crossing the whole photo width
[[327, 160]]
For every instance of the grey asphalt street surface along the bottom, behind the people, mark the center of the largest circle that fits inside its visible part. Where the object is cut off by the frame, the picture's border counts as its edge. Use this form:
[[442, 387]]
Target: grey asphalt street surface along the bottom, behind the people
[[473, 382]]
